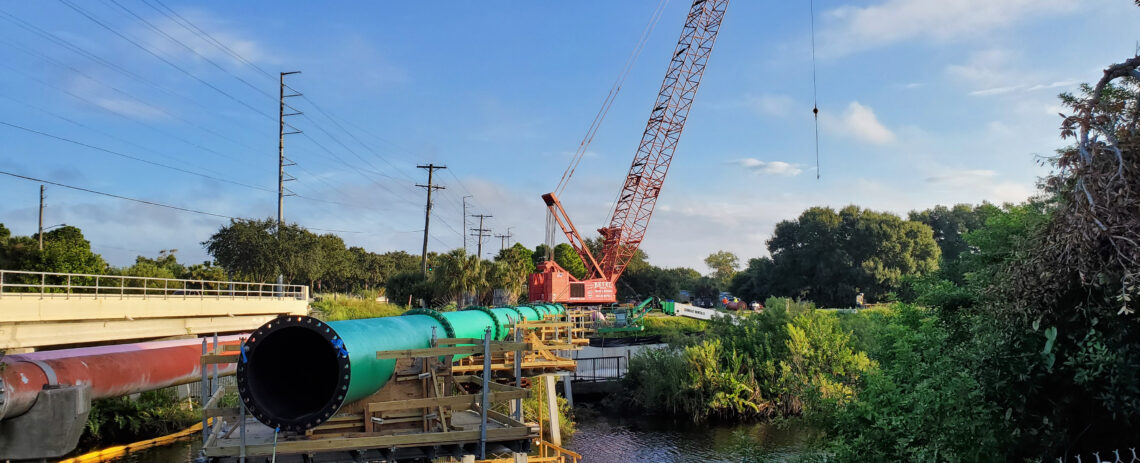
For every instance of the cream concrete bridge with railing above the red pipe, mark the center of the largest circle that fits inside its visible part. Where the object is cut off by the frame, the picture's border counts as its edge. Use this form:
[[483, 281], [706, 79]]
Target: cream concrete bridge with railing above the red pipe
[[48, 310]]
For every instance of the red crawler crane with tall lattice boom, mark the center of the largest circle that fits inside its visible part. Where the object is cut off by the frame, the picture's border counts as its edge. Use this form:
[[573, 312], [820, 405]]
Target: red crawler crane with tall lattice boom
[[634, 207]]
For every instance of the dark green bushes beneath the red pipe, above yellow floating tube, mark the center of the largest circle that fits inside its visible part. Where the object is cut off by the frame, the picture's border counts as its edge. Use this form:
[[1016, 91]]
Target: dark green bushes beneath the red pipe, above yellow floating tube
[[125, 420]]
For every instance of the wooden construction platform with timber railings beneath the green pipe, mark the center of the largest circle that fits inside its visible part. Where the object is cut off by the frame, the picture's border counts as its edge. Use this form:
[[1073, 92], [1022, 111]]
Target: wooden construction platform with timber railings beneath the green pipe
[[433, 410]]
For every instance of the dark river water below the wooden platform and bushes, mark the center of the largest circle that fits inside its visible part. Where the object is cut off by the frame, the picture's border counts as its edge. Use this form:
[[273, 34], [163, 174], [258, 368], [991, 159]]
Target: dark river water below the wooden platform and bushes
[[602, 440]]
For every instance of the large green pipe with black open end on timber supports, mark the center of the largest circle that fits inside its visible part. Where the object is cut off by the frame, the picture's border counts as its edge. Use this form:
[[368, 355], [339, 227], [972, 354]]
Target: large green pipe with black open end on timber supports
[[298, 372]]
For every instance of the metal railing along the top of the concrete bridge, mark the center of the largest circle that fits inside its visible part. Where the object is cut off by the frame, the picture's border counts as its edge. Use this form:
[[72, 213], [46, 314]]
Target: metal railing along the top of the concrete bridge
[[47, 285]]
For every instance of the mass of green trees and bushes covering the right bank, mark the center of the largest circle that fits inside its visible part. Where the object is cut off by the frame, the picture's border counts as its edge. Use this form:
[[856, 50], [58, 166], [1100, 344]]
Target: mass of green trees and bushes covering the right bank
[[1021, 345]]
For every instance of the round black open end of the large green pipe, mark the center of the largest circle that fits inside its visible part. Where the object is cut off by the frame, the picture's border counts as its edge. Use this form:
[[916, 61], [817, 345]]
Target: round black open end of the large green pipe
[[295, 373]]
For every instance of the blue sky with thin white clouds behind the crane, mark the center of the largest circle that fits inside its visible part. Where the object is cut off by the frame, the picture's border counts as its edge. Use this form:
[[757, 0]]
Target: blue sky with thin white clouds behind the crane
[[923, 103]]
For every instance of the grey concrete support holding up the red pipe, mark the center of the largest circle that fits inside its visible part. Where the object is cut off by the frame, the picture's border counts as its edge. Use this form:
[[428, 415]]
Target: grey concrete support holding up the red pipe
[[51, 429]]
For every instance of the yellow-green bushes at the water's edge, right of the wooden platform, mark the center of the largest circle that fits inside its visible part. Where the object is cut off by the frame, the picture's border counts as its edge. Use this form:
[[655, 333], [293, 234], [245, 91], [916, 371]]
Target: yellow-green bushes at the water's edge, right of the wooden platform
[[762, 365]]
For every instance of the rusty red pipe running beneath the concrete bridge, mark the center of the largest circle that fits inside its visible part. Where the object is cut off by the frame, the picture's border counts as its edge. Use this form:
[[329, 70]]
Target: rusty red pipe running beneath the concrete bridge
[[112, 371]]
